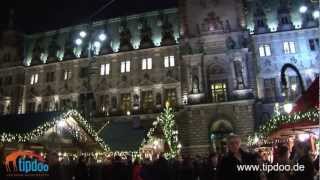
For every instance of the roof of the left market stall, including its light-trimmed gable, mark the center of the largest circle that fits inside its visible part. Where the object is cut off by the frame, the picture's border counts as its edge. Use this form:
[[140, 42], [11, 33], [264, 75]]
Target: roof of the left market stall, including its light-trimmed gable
[[26, 127]]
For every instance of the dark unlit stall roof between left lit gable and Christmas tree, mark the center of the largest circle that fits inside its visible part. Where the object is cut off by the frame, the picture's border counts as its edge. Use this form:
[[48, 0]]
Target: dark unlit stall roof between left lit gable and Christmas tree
[[123, 136]]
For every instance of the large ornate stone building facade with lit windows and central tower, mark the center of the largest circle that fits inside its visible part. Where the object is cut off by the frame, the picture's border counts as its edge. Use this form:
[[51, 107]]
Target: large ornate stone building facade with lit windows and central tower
[[217, 62]]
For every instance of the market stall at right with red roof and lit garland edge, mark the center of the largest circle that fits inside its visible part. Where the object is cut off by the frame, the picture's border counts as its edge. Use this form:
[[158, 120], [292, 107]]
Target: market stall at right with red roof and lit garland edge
[[301, 124]]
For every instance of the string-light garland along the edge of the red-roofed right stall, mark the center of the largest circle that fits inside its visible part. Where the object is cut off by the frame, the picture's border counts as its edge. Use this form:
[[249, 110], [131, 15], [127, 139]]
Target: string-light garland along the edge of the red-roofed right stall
[[274, 123]]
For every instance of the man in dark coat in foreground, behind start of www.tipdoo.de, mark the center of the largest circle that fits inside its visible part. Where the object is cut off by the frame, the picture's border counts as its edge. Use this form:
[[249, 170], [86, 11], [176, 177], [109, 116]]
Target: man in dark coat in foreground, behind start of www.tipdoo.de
[[228, 167]]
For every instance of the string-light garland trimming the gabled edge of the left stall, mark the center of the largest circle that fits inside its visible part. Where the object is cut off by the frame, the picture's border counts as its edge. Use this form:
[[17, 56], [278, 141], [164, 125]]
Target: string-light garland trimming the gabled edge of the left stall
[[42, 129]]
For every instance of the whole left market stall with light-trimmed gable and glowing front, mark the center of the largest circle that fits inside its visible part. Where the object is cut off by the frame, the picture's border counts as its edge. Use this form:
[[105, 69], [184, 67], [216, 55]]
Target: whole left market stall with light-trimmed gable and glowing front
[[60, 132]]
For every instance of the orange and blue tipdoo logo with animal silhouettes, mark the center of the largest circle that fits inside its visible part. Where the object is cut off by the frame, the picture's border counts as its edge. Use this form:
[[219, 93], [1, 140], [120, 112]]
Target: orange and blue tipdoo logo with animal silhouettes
[[25, 163]]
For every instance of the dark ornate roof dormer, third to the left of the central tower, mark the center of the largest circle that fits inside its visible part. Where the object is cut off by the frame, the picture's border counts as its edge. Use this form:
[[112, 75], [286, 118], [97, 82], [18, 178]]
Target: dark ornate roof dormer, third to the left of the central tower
[[125, 37]]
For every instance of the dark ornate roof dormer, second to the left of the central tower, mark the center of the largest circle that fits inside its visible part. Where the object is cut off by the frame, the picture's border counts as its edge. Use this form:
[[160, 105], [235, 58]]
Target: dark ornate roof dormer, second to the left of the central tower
[[145, 35]]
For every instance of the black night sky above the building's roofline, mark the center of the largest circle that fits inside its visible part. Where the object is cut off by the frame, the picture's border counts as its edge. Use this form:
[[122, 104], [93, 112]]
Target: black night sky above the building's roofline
[[42, 15]]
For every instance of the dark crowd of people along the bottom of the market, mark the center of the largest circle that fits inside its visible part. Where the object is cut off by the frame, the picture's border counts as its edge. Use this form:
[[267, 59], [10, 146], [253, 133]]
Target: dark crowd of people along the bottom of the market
[[214, 167]]
